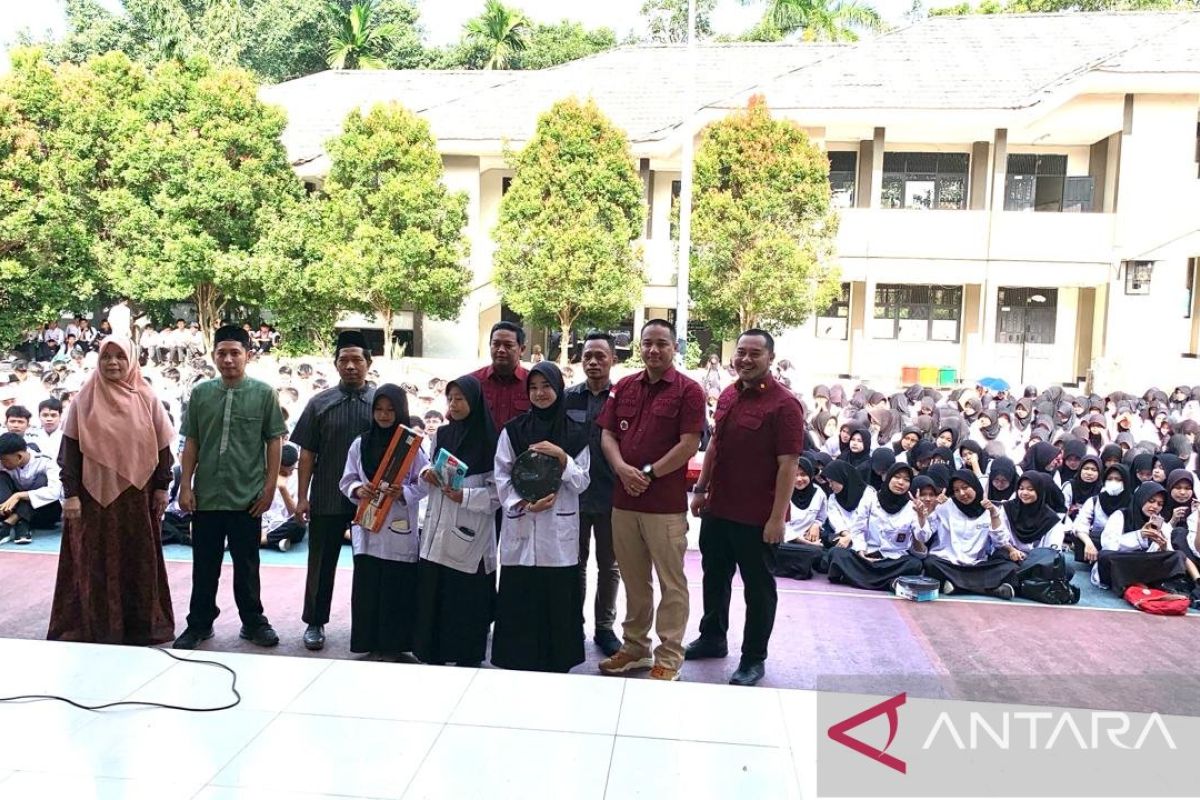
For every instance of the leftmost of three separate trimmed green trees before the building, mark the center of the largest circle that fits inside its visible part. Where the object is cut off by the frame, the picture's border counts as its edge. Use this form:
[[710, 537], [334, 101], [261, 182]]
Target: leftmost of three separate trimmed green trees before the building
[[393, 233]]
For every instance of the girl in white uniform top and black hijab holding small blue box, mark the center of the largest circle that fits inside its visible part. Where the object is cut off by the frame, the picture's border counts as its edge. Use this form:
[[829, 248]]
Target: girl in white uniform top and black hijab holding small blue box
[[457, 575]]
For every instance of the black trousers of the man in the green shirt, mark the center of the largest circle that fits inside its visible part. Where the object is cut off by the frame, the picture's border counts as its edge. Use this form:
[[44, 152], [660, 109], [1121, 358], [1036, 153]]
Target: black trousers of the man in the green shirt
[[211, 530]]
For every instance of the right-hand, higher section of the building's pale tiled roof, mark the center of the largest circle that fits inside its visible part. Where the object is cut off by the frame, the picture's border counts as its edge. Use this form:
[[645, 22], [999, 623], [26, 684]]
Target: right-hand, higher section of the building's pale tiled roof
[[1001, 62]]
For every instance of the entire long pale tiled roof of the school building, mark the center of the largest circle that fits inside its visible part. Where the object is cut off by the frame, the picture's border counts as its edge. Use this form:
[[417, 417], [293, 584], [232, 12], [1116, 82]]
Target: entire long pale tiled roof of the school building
[[1003, 62]]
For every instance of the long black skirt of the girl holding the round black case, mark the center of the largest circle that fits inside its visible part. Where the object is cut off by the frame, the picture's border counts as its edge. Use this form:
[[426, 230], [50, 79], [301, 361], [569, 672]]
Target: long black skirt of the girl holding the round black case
[[538, 619]]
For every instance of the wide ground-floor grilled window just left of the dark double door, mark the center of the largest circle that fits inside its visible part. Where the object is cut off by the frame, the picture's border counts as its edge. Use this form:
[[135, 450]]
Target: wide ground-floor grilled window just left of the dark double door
[[917, 314]]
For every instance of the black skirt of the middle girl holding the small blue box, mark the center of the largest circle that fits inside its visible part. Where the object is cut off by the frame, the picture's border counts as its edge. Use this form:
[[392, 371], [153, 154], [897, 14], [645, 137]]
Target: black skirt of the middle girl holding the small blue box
[[454, 611]]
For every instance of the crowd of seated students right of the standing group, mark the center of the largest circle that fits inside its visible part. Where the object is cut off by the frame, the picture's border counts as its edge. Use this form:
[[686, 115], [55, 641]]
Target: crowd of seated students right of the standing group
[[1107, 479]]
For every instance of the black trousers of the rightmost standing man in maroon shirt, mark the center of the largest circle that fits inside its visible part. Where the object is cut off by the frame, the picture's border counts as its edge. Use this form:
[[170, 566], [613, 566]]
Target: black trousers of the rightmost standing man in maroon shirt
[[725, 546]]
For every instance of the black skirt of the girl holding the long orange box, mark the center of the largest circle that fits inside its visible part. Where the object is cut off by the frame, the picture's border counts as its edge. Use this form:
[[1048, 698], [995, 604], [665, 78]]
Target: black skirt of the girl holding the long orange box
[[383, 606]]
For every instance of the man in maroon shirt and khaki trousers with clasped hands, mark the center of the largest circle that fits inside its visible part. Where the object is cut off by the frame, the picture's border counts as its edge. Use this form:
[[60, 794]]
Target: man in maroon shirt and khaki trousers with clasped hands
[[651, 429]]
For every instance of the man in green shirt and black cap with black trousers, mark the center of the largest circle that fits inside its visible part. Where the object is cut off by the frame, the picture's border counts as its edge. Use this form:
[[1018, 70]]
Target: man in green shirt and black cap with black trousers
[[235, 431]]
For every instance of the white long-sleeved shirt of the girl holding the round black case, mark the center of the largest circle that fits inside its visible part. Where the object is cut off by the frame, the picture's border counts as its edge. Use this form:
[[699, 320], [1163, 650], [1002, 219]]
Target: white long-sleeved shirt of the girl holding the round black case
[[550, 538]]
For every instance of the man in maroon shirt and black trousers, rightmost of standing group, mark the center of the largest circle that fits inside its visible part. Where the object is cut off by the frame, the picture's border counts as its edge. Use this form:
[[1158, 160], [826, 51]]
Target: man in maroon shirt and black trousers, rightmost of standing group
[[743, 495]]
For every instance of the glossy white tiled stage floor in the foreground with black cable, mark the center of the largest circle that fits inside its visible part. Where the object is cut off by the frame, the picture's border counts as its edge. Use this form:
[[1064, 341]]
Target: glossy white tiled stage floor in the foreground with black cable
[[328, 729]]
